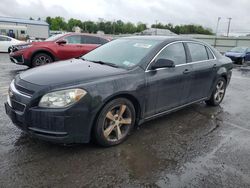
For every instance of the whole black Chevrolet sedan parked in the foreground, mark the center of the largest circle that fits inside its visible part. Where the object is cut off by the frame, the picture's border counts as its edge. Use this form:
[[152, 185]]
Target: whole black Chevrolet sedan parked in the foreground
[[128, 81]]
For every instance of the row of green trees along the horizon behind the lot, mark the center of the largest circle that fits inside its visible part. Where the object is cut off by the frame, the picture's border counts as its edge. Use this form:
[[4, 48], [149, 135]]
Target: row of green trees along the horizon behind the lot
[[120, 27]]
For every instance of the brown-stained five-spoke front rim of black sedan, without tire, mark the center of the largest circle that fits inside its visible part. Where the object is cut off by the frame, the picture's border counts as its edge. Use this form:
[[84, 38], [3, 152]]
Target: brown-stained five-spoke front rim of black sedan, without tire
[[117, 123]]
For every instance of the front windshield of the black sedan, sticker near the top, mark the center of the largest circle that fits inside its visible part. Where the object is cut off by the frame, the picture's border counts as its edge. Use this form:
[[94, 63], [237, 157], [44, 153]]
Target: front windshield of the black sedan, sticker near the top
[[123, 52]]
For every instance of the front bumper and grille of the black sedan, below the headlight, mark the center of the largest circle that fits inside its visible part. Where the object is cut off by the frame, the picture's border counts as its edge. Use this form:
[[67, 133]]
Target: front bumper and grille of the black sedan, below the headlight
[[69, 125]]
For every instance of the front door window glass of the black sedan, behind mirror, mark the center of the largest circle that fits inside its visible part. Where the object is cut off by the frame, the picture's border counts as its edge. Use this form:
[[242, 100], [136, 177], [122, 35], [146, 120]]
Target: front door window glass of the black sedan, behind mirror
[[174, 52]]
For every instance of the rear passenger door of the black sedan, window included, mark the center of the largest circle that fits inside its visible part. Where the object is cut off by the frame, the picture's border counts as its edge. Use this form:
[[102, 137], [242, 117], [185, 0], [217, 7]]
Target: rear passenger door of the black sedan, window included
[[204, 68]]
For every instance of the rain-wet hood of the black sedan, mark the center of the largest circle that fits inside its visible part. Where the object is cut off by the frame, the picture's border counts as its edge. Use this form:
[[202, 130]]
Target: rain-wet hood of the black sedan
[[70, 71]]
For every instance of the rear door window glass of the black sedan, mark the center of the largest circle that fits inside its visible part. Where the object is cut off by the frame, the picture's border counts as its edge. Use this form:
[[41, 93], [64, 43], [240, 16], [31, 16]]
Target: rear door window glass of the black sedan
[[198, 52]]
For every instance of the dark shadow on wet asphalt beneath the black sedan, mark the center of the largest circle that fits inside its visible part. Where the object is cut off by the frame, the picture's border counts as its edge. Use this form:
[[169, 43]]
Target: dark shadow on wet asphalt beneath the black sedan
[[184, 117]]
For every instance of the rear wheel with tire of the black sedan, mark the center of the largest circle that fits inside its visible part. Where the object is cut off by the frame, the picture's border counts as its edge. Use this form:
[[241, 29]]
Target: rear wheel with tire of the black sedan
[[218, 92]]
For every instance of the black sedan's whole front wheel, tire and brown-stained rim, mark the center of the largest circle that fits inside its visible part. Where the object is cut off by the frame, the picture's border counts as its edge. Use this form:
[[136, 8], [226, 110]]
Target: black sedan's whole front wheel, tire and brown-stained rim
[[115, 121]]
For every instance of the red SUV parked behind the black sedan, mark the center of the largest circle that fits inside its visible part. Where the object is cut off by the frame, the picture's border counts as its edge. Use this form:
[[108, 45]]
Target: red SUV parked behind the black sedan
[[55, 48]]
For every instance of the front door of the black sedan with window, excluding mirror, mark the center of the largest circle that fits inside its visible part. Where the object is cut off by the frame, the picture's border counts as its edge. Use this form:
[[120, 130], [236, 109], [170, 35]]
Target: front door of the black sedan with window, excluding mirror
[[168, 87]]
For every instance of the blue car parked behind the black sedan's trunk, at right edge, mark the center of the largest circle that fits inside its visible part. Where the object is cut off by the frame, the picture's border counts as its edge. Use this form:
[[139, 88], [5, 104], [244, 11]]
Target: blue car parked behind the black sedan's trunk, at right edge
[[239, 54]]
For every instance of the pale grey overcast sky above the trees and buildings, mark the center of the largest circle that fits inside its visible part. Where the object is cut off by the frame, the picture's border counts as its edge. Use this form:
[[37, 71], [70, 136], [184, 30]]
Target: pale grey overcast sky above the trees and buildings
[[203, 12]]
